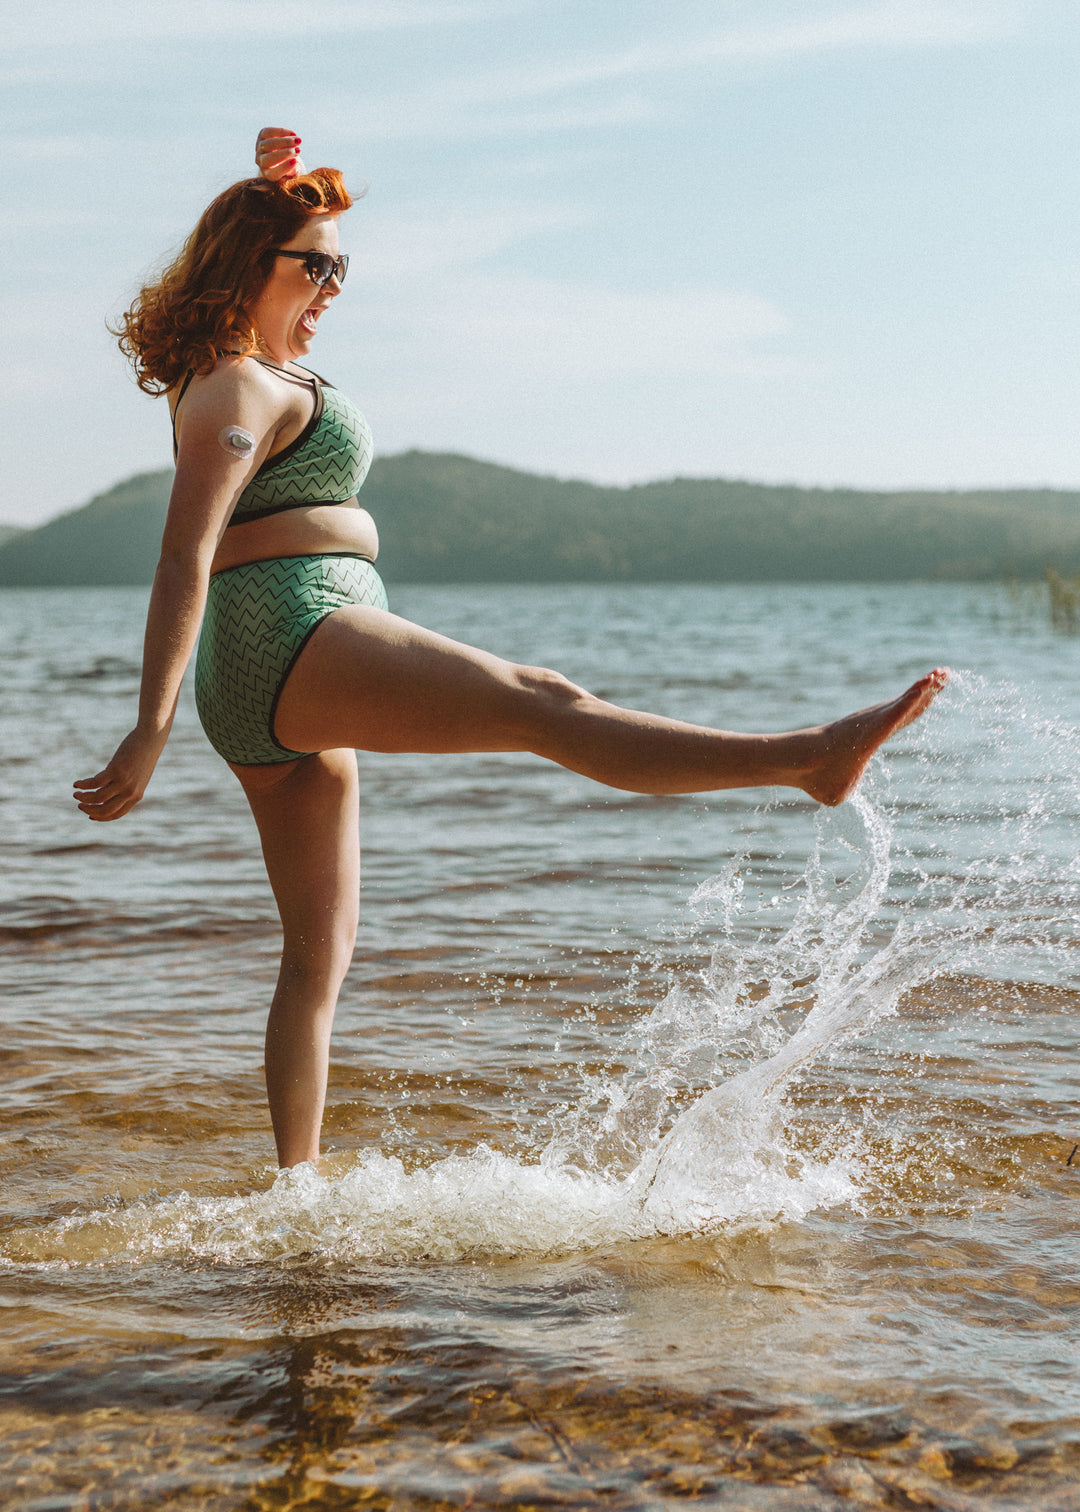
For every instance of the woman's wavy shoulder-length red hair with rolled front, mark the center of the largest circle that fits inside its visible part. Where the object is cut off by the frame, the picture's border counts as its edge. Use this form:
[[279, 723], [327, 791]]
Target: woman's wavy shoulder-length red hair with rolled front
[[200, 308]]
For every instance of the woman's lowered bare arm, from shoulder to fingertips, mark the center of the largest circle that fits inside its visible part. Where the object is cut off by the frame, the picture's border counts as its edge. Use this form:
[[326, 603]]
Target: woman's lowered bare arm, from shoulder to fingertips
[[208, 482]]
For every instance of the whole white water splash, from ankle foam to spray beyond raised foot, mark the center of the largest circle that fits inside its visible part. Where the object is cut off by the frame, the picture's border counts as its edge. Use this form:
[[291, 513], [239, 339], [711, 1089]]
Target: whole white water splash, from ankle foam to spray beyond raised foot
[[695, 1135]]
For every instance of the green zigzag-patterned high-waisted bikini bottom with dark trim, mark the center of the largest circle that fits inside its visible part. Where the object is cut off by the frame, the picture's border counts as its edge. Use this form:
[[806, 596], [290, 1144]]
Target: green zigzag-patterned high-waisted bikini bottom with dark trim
[[258, 621]]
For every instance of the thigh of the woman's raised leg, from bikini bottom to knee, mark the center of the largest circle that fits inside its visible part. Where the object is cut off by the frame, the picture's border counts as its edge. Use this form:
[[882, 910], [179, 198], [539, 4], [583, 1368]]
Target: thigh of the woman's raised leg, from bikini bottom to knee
[[377, 683]]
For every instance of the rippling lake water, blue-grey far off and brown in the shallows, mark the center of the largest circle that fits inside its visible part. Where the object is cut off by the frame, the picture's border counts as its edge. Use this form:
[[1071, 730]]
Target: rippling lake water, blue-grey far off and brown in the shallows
[[707, 1150]]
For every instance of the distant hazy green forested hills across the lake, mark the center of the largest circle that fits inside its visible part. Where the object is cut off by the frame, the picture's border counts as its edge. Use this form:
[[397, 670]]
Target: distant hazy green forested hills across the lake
[[444, 518]]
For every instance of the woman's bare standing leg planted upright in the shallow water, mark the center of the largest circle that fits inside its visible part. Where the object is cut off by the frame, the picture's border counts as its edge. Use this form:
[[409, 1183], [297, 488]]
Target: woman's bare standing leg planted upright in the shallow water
[[308, 819]]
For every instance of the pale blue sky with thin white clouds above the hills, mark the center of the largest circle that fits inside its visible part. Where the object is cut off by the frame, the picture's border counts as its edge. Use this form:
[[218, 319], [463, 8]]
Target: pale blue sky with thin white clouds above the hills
[[796, 241]]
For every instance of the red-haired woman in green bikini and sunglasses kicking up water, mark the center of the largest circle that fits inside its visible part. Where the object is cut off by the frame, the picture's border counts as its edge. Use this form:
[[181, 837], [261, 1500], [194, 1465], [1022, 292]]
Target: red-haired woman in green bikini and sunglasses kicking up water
[[300, 661]]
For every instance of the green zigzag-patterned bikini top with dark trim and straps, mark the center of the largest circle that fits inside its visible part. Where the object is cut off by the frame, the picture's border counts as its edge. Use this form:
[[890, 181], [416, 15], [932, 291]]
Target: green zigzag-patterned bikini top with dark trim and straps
[[326, 463]]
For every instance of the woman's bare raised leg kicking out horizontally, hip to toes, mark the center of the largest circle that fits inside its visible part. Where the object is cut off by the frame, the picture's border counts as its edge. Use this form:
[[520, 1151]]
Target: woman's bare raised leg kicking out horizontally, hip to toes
[[373, 681]]
